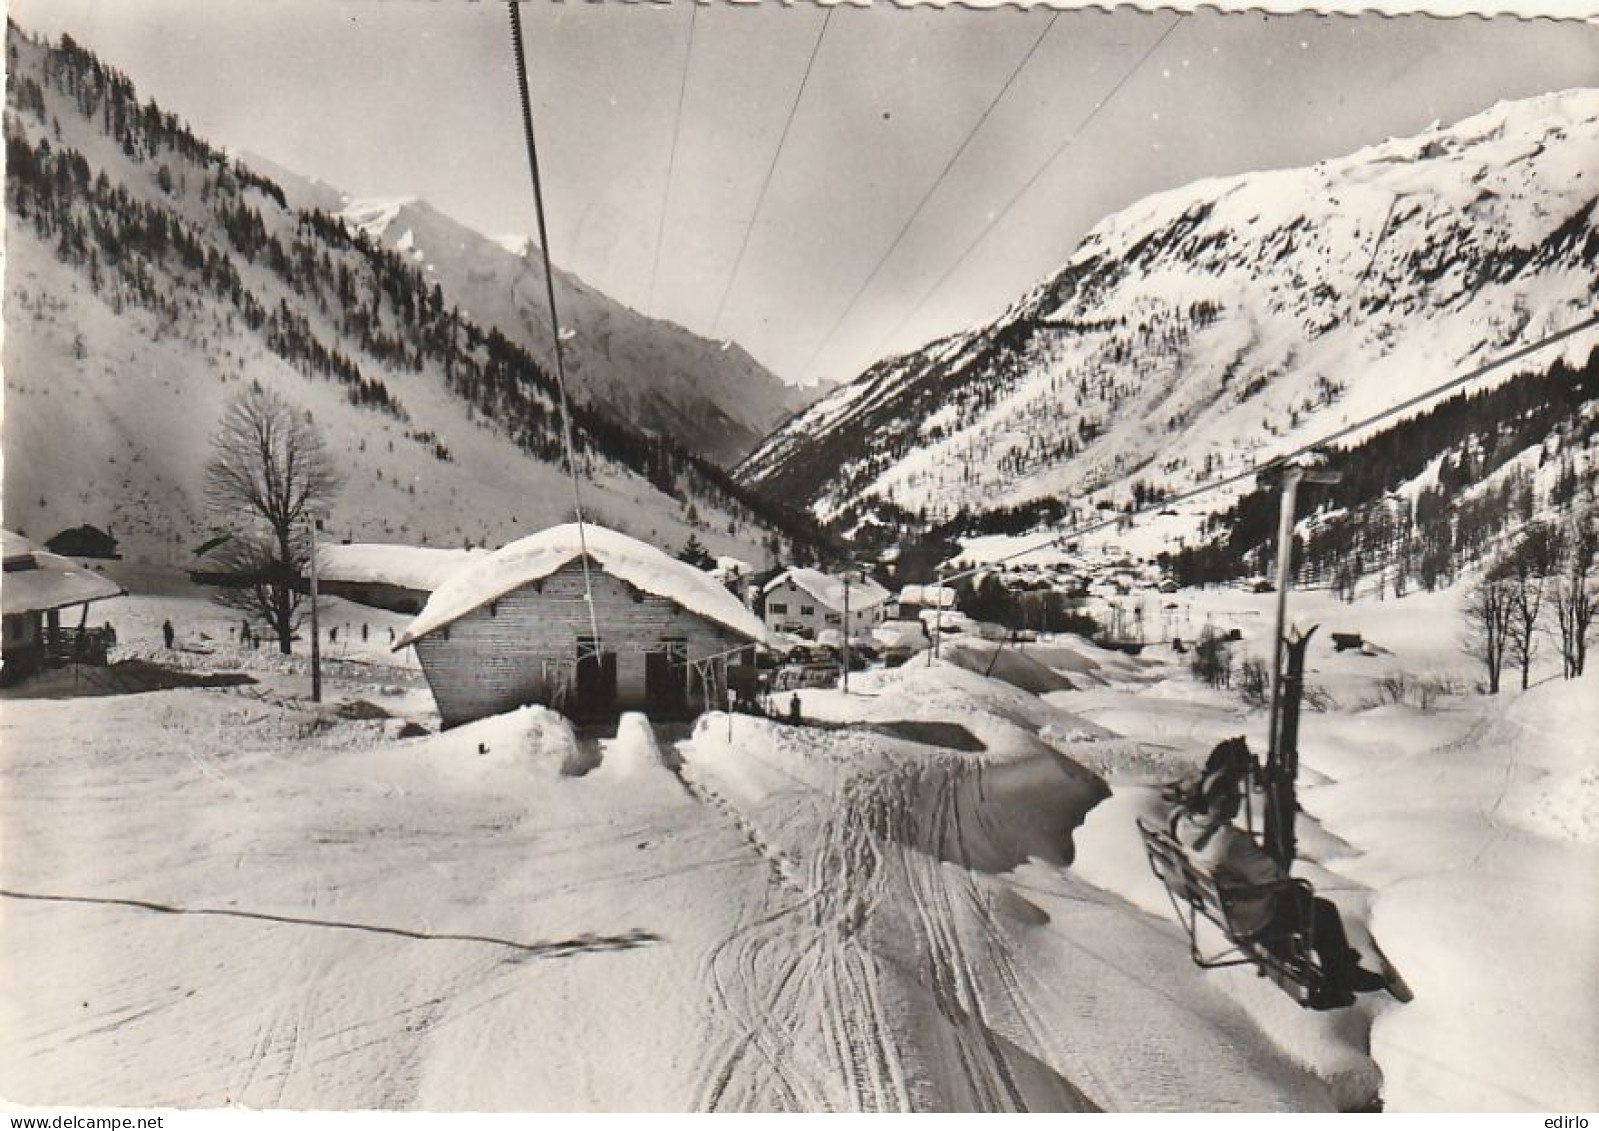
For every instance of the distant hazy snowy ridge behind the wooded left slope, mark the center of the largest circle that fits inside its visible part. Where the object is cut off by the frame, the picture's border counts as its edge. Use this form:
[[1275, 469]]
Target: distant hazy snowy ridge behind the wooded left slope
[[712, 398]]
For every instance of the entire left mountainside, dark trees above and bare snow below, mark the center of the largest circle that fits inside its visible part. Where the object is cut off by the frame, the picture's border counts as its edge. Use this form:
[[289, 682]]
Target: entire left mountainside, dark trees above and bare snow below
[[150, 278]]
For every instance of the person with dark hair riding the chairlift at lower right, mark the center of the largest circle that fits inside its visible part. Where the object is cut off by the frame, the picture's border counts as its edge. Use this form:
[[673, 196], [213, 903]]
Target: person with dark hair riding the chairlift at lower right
[[1205, 828]]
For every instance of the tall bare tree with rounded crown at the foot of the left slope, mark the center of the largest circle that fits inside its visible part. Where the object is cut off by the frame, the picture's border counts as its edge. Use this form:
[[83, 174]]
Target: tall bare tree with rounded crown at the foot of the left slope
[[268, 465]]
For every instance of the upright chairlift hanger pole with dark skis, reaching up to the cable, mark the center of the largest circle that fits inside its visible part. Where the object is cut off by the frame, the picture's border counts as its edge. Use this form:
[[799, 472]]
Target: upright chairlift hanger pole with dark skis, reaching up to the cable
[[1283, 762]]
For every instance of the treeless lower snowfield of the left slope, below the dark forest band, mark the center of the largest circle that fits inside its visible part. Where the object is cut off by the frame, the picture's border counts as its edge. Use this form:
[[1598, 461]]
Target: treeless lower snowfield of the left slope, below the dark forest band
[[86, 442]]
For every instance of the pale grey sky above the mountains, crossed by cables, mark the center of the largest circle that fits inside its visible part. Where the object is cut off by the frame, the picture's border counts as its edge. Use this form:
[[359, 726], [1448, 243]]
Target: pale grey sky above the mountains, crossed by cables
[[420, 100]]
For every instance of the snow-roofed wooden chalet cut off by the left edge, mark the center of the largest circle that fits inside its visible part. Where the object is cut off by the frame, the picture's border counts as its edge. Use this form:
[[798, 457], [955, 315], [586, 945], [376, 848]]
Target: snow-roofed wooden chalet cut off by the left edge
[[34, 591]]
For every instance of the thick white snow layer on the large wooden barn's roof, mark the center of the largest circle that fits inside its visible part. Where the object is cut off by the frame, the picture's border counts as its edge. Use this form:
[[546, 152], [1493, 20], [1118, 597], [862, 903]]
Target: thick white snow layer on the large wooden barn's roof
[[540, 556]]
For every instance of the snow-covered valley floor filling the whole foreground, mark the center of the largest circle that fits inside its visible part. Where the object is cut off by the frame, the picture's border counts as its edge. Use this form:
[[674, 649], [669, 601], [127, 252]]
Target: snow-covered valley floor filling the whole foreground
[[930, 898]]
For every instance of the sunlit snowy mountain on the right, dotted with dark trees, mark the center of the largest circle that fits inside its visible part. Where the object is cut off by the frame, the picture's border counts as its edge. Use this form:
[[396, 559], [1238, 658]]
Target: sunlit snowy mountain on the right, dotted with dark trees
[[1210, 327]]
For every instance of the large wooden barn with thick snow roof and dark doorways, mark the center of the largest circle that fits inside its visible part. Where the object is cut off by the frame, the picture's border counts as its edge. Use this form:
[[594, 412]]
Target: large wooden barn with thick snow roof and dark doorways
[[514, 628]]
